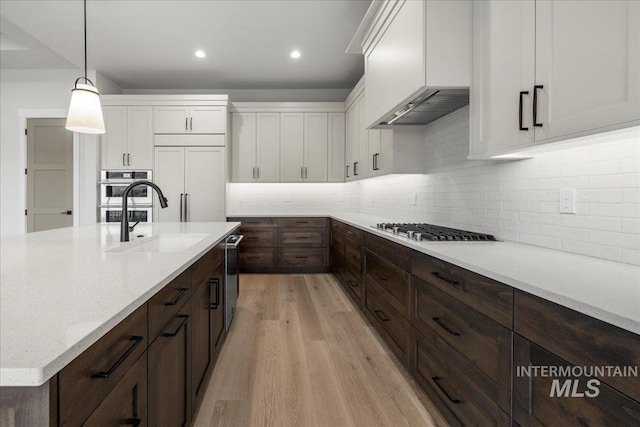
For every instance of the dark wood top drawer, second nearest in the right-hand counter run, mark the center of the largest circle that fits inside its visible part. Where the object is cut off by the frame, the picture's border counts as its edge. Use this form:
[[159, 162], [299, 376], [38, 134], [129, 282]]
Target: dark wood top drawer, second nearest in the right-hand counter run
[[491, 298]]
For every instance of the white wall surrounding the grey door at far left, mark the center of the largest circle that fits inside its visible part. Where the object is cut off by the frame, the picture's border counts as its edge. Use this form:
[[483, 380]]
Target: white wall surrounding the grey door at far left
[[33, 90]]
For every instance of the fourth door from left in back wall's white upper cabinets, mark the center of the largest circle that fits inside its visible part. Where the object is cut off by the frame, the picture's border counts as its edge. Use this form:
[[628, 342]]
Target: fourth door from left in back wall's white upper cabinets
[[315, 146]]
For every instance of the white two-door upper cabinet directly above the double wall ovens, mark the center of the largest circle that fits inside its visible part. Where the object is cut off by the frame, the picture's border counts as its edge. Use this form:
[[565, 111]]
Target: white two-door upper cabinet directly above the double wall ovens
[[128, 140]]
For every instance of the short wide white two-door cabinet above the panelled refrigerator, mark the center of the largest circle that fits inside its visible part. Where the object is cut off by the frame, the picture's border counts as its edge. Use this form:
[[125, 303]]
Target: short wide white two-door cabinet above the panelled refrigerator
[[190, 120]]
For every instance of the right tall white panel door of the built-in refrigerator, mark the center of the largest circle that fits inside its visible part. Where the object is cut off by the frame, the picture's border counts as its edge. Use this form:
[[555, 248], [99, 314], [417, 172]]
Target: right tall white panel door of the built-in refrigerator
[[205, 184]]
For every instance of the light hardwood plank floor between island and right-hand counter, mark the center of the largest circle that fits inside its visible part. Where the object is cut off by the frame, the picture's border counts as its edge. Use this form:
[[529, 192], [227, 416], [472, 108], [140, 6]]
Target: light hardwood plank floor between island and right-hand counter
[[299, 353]]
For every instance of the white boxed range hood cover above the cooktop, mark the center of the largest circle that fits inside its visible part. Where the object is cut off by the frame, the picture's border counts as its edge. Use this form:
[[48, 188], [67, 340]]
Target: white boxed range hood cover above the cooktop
[[412, 45]]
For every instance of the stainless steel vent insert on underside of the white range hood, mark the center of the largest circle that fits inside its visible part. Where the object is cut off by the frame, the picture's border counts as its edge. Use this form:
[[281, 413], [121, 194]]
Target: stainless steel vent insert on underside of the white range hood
[[429, 105]]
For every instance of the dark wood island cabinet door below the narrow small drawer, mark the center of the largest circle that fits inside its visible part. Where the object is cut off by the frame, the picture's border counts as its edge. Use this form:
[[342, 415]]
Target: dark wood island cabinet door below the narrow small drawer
[[169, 378]]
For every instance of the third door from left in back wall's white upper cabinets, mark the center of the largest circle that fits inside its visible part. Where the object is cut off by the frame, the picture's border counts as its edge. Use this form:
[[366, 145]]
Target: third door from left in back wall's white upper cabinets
[[291, 147]]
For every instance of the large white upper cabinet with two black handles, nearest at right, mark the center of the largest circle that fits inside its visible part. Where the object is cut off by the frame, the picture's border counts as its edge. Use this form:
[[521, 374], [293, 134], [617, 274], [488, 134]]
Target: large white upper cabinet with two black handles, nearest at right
[[547, 71]]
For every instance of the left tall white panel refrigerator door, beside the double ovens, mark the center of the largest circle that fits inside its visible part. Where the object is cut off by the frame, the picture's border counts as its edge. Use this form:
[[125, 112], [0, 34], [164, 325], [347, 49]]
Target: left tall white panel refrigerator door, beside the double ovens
[[169, 176]]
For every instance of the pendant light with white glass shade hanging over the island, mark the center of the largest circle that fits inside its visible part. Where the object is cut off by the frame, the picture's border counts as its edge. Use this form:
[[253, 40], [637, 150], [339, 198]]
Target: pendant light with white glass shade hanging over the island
[[85, 111]]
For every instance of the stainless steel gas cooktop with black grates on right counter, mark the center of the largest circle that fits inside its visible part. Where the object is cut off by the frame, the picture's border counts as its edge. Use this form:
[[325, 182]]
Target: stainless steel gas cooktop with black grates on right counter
[[429, 232]]
